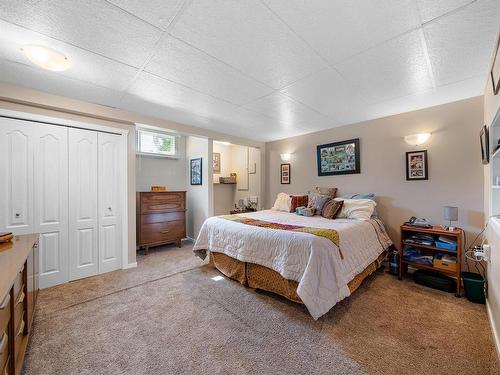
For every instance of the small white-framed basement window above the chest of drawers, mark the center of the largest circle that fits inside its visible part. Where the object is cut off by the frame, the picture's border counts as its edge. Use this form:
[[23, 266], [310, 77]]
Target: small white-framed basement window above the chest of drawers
[[150, 142]]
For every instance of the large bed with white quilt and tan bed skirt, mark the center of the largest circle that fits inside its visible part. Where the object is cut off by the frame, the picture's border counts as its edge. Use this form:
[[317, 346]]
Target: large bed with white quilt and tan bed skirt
[[302, 266]]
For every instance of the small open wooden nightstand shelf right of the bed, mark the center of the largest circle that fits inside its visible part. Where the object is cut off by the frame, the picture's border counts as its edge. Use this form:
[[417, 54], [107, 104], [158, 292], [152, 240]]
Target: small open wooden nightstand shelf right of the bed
[[436, 231]]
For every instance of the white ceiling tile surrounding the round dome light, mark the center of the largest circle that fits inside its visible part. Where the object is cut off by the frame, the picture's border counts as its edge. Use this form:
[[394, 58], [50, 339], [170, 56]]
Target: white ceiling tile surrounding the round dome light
[[86, 66]]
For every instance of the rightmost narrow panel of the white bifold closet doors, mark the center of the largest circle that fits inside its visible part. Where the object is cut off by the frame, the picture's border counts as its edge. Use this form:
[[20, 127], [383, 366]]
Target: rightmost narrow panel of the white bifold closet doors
[[110, 194]]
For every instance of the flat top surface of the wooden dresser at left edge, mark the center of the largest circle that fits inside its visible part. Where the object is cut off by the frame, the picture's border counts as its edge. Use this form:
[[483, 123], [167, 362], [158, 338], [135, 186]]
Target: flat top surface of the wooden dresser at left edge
[[12, 257]]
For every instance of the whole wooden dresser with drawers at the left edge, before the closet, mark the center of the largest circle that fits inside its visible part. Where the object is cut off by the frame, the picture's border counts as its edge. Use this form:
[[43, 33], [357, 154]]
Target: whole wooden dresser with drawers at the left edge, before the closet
[[18, 294]]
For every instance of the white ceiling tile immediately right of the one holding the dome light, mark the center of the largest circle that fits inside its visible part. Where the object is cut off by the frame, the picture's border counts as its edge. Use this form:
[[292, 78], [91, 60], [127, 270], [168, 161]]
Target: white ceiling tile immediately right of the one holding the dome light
[[172, 95]]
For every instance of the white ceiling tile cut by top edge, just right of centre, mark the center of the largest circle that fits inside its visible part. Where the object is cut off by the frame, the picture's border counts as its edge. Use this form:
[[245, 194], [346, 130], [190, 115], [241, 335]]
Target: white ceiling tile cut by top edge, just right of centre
[[340, 29]]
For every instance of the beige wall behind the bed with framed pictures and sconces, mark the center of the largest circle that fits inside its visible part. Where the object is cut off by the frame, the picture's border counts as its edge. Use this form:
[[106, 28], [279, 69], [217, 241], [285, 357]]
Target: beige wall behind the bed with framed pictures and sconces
[[455, 169]]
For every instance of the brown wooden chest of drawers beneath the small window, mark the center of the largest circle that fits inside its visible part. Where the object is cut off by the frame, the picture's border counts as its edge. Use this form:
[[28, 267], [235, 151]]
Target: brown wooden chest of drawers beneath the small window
[[161, 218]]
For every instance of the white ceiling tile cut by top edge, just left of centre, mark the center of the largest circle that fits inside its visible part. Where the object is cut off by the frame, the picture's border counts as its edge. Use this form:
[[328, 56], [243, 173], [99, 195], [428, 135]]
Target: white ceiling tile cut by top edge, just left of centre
[[246, 35]]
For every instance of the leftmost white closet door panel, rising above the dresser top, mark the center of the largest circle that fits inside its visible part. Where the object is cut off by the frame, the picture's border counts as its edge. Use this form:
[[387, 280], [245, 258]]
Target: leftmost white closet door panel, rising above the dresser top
[[16, 168]]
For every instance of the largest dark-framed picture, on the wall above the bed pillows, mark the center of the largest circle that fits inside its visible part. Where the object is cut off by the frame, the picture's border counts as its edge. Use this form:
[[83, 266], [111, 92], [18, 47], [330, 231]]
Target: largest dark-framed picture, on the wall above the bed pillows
[[339, 158]]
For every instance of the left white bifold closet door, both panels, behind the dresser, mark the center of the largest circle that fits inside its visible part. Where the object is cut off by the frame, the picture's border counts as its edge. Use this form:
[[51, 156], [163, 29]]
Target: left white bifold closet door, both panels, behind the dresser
[[34, 190]]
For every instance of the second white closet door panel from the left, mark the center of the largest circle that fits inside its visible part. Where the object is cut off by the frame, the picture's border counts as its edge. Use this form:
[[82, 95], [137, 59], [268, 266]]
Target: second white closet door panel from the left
[[51, 202]]
